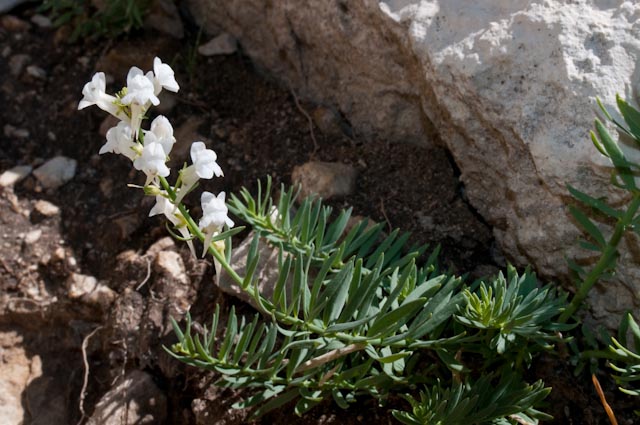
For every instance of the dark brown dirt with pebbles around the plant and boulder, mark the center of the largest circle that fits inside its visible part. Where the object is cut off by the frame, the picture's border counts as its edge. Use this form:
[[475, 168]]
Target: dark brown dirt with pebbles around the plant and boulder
[[103, 231]]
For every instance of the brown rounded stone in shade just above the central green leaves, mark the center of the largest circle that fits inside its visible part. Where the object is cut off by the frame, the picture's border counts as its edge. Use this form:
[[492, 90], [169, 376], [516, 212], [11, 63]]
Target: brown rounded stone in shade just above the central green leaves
[[325, 179]]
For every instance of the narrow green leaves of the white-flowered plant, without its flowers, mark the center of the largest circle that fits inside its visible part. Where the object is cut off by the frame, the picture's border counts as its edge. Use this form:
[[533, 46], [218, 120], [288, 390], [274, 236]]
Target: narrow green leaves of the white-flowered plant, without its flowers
[[353, 313]]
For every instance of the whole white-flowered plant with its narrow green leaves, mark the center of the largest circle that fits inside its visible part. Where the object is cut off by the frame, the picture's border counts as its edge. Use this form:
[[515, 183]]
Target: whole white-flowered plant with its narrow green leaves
[[353, 312]]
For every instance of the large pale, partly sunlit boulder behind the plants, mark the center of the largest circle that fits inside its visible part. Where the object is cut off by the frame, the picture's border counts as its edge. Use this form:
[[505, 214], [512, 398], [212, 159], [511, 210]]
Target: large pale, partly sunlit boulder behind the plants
[[509, 86]]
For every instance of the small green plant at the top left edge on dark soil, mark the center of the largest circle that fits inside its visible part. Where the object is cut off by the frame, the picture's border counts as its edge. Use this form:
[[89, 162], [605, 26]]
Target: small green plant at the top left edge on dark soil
[[112, 18]]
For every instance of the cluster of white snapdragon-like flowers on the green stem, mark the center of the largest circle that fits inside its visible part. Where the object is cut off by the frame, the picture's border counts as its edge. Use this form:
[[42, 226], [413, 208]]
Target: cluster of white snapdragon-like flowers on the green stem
[[149, 150]]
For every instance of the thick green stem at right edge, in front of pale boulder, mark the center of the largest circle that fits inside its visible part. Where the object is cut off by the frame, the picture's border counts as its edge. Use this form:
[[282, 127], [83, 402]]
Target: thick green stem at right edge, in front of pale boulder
[[608, 255]]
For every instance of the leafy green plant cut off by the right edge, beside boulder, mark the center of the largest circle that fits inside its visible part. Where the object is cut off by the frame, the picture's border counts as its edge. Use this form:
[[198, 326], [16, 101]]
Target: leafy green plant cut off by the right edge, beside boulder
[[623, 353]]
